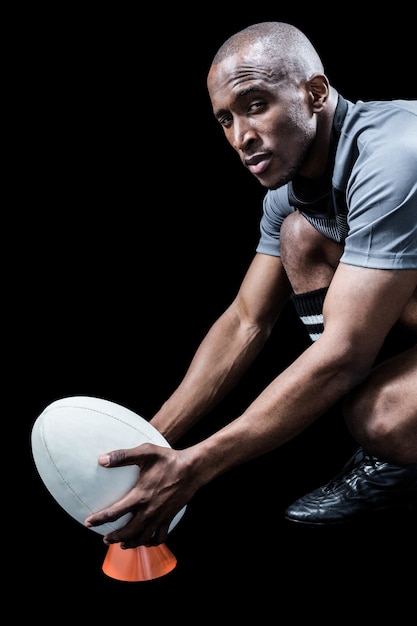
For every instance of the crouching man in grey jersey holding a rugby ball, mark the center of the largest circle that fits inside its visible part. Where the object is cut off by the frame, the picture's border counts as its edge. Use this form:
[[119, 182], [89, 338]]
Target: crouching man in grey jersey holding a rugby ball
[[339, 237]]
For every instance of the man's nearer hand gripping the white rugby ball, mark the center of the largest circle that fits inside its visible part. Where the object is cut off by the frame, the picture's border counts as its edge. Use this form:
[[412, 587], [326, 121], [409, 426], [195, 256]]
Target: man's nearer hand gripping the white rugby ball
[[163, 489]]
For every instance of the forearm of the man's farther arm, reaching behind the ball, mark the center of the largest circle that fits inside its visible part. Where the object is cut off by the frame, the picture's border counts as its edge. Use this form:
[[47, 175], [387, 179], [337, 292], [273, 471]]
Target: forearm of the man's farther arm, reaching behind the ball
[[219, 363]]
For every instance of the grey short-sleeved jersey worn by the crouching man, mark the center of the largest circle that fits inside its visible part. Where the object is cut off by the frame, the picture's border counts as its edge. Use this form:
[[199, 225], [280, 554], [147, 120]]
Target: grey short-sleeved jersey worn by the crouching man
[[371, 201]]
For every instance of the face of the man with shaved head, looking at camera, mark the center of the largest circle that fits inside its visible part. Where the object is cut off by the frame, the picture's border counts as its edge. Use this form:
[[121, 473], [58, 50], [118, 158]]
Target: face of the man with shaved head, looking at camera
[[271, 125]]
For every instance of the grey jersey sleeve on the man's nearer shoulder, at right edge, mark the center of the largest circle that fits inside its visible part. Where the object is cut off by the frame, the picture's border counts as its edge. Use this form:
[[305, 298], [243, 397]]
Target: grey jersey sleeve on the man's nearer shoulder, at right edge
[[382, 198]]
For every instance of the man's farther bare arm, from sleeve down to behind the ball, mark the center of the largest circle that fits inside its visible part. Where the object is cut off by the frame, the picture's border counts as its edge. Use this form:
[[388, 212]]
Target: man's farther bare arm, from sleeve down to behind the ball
[[228, 349]]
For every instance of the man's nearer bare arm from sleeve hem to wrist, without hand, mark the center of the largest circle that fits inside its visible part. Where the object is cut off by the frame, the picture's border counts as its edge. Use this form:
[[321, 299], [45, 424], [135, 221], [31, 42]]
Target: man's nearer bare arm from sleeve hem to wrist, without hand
[[360, 308]]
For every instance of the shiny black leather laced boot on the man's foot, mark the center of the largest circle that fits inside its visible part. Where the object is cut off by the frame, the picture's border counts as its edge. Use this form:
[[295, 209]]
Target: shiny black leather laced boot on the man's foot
[[366, 485]]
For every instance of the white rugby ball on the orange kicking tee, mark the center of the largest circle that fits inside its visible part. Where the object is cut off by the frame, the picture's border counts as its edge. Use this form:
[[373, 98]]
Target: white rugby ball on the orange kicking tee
[[66, 440]]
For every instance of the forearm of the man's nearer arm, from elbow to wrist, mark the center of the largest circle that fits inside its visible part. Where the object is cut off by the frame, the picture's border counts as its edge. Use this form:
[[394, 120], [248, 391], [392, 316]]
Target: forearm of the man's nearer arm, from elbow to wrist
[[291, 402]]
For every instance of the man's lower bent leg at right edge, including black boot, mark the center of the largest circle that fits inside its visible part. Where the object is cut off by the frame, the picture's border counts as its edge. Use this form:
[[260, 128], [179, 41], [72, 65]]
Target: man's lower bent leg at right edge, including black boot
[[382, 415]]
